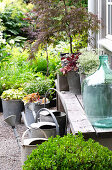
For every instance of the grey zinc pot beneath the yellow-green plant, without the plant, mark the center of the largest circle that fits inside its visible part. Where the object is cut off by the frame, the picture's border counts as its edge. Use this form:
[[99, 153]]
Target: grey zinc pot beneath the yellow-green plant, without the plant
[[12, 107]]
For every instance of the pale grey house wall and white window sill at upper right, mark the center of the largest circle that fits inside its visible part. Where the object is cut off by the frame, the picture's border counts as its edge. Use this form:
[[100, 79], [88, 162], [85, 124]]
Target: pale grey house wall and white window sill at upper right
[[98, 7]]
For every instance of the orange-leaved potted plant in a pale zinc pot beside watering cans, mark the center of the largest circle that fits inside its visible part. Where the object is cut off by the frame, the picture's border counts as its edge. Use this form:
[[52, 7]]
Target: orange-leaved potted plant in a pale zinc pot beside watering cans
[[33, 103]]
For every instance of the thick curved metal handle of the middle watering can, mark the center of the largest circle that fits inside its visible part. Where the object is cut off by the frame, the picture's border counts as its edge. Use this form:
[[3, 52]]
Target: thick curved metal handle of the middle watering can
[[57, 126]]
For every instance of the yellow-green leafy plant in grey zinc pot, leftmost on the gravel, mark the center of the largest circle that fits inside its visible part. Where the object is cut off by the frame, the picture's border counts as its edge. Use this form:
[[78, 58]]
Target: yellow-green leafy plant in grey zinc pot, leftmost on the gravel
[[12, 103]]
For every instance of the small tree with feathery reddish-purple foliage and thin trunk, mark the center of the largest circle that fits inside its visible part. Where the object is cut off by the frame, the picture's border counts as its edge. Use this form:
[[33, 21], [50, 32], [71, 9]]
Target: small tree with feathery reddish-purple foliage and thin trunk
[[54, 20]]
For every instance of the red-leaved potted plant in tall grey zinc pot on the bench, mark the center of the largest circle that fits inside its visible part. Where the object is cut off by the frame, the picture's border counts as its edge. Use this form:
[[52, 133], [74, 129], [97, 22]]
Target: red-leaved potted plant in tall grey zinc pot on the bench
[[70, 68]]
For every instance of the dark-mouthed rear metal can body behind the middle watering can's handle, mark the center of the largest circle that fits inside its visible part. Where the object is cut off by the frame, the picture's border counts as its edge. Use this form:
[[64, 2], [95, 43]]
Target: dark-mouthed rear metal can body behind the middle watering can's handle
[[60, 116]]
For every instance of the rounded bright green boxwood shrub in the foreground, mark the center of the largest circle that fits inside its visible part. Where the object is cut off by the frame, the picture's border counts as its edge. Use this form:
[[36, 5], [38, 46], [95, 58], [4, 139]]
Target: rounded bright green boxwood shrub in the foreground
[[70, 152]]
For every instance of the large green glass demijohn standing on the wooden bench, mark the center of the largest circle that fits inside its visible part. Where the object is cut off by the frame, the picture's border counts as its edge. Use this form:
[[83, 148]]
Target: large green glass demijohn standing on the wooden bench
[[97, 95]]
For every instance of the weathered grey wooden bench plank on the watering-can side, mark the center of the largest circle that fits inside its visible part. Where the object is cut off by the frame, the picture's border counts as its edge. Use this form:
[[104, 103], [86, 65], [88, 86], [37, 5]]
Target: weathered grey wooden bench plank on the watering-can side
[[76, 116]]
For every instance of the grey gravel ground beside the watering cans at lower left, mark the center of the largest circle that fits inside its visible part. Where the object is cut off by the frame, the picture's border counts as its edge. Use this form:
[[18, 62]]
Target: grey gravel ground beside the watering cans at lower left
[[10, 155]]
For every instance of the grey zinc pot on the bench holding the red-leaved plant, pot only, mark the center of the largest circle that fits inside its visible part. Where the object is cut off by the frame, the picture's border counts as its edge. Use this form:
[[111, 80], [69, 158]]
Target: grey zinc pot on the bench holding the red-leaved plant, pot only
[[74, 82]]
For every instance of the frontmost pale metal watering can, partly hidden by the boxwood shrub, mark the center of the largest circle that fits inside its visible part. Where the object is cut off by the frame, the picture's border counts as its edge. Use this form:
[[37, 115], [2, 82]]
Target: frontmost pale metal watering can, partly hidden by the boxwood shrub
[[29, 144]]
